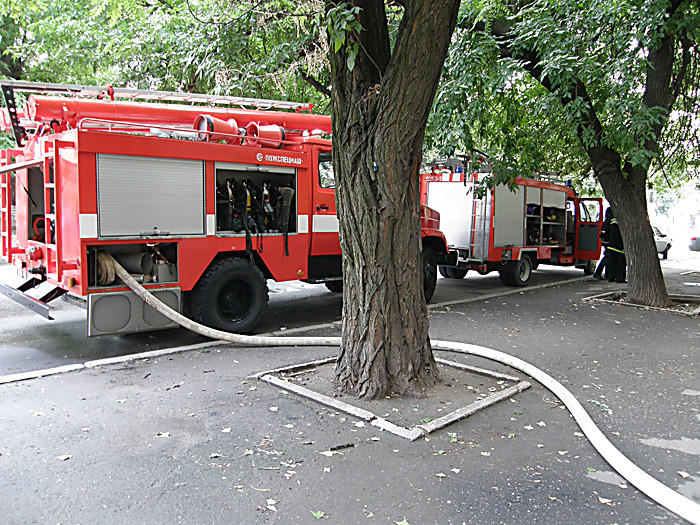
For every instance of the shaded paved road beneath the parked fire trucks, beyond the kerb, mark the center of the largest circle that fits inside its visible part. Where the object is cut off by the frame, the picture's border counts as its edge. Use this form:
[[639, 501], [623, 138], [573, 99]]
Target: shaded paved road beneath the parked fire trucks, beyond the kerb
[[30, 342]]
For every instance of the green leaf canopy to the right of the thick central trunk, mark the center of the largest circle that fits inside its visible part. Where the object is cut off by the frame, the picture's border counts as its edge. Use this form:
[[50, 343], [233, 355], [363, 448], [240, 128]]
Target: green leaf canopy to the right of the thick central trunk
[[493, 104]]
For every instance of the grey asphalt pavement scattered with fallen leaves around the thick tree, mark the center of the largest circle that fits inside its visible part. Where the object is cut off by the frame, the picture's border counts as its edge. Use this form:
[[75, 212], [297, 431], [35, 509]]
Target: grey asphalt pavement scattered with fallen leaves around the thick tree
[[190, 438]]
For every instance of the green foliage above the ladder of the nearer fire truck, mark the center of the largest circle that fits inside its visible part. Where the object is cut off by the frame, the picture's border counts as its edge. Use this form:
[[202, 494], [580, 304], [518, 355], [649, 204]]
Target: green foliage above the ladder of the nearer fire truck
[[252, 48]]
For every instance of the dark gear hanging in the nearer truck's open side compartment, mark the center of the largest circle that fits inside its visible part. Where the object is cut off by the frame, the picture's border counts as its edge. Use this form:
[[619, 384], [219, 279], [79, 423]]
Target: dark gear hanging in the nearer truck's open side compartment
[[255, 203]]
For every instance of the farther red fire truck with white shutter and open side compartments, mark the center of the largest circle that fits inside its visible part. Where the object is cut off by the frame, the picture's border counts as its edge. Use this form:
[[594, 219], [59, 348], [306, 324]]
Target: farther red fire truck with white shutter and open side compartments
[[512, 231]]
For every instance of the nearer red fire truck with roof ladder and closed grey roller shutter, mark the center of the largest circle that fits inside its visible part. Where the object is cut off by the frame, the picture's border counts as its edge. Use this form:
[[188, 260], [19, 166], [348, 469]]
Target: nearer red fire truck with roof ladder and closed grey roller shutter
[[202, 203]]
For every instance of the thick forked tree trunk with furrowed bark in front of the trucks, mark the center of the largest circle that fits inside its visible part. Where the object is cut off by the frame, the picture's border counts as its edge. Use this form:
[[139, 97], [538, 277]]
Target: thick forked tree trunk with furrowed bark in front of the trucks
[[380, 110]]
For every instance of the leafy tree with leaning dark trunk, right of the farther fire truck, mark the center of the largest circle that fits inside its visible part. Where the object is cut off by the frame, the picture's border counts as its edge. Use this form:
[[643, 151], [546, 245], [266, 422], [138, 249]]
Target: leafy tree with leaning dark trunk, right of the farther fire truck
[[611, 74]]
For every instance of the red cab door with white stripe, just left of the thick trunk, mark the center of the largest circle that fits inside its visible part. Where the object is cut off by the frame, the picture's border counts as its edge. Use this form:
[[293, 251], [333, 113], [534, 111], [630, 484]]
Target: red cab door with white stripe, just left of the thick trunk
[[324, 260]]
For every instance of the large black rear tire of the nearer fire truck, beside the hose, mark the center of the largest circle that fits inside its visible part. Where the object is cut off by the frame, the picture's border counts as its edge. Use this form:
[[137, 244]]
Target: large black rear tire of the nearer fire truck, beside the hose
[[232, 295]]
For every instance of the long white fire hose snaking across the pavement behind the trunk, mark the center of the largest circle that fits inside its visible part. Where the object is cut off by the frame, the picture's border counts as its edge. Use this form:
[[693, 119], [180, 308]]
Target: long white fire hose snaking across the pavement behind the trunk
[[663, 495]]
